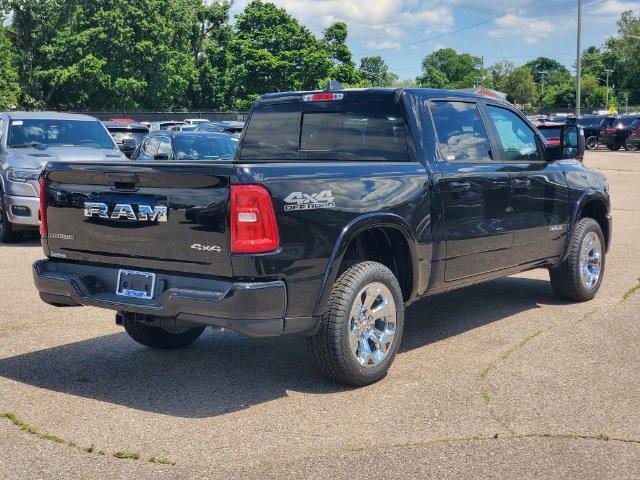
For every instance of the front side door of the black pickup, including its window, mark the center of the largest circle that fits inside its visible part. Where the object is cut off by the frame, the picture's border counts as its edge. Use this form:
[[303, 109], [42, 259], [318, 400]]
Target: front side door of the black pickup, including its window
[[539, 197]]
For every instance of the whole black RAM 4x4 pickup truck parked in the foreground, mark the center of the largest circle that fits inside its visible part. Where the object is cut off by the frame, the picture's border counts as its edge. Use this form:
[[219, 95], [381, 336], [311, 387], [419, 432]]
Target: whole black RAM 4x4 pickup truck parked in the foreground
[[339, 209]]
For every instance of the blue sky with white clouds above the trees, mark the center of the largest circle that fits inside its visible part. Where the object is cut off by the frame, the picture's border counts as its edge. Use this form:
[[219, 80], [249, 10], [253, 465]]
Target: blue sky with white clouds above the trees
[[547, 27]]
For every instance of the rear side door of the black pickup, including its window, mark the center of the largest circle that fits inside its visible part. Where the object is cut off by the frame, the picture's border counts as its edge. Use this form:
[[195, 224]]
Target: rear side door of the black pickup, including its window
[[474, 191]]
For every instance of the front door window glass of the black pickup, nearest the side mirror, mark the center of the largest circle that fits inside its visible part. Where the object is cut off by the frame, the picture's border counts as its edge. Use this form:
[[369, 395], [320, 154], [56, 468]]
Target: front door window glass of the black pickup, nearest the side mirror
[[519, 142]]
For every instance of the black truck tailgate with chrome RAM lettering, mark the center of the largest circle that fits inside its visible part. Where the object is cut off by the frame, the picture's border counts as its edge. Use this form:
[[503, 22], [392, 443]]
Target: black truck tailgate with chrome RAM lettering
[[156, 217]]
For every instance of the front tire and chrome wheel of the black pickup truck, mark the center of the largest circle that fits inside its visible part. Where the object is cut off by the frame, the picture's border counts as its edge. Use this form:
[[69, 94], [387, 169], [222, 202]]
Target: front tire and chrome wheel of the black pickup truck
[[579, 277]]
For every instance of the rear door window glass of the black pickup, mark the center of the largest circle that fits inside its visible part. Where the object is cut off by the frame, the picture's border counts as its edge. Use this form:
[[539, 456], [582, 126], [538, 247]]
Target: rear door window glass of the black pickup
[[460, 132]]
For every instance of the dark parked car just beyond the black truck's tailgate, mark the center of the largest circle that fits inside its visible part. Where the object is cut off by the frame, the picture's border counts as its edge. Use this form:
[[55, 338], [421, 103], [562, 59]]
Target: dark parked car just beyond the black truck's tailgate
[[170, 145]]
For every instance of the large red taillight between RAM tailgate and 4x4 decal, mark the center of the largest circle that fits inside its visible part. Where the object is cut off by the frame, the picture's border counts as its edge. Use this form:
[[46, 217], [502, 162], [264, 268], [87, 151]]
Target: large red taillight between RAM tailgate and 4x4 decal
[[253, 221]]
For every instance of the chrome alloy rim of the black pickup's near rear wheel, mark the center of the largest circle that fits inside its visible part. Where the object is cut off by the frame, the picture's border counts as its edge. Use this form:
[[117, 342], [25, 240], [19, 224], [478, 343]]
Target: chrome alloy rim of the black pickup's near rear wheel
[[372, 326]]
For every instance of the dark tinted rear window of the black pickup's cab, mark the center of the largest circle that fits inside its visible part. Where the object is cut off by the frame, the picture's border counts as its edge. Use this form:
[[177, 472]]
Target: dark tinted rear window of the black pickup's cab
[[349, 131]]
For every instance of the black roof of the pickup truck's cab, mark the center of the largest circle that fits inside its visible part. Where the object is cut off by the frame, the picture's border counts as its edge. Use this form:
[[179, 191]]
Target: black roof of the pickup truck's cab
[[374, 95]]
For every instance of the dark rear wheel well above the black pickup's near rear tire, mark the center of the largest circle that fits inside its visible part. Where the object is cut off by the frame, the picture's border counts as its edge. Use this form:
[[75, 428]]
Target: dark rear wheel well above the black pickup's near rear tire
[[385, 245]]
